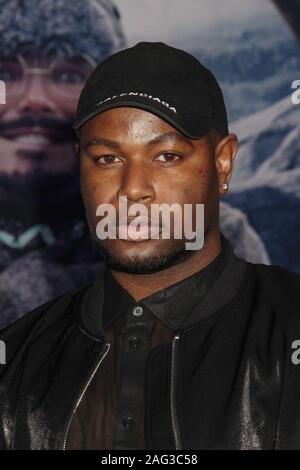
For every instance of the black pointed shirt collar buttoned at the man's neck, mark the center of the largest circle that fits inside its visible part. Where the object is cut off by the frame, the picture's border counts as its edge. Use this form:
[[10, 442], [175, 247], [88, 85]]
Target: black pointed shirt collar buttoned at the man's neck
[[170, 305]]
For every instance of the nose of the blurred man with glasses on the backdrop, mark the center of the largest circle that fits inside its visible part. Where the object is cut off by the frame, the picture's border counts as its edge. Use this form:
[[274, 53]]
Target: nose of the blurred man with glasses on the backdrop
[[35, 97]]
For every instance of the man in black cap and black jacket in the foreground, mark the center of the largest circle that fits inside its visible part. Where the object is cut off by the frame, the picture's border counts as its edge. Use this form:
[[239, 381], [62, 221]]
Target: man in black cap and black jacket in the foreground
[[172, 348]]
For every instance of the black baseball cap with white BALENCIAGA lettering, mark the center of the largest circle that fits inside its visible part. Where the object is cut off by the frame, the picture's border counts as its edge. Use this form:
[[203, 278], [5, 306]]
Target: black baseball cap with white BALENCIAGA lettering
[[156, 77]]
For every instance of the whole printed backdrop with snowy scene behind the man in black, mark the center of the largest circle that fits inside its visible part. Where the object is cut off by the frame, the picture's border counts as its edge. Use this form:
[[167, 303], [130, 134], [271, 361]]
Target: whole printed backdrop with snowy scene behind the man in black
[[47, 50]]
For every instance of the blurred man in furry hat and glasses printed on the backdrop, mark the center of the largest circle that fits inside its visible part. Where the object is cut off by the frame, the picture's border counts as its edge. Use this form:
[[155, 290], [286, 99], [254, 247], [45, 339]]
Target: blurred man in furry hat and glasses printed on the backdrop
[[44, 242]]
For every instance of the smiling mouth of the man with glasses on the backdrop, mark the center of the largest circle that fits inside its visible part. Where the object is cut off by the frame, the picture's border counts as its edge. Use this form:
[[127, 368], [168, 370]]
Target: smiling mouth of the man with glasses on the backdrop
[[32, 135]]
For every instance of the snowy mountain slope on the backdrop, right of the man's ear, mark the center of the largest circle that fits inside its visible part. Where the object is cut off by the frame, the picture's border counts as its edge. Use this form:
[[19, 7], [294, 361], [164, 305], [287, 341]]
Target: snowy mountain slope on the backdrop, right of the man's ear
[[265, 185]]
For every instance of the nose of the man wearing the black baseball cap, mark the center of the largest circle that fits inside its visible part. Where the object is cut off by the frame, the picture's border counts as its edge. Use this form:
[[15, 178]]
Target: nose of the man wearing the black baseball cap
[[137, 183]]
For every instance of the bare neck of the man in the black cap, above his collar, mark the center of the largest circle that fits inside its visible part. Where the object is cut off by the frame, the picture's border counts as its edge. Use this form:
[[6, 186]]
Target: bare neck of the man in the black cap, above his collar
[[143, 285]]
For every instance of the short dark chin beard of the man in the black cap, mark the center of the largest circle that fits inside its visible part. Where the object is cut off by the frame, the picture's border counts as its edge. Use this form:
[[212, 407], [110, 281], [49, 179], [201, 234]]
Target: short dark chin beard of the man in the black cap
[[145, 264]]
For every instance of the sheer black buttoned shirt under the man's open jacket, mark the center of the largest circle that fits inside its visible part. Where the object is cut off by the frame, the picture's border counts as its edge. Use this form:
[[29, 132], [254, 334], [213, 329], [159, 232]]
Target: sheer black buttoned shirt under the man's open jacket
[[111, 414]]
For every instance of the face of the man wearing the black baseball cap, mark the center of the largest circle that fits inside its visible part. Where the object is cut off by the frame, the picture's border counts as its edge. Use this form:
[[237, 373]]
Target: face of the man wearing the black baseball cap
[[139, 155]]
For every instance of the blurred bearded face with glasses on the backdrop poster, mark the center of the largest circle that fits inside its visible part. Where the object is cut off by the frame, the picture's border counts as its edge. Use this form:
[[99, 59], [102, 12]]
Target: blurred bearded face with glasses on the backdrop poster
[[36, 139]]
